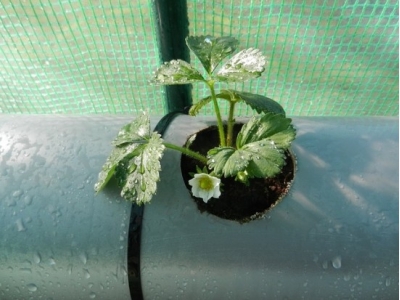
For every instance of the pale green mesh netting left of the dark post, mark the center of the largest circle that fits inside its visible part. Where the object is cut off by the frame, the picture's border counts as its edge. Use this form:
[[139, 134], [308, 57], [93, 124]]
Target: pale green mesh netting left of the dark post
[[77, 57]]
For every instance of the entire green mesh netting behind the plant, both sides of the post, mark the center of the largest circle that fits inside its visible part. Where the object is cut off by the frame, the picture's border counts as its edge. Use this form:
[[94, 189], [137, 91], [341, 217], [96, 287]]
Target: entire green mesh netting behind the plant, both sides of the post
[[332, 57]]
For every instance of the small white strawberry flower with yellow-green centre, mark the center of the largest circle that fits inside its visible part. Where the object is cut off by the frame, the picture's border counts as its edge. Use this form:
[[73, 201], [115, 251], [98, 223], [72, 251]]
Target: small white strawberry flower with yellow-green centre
[[205, 186]]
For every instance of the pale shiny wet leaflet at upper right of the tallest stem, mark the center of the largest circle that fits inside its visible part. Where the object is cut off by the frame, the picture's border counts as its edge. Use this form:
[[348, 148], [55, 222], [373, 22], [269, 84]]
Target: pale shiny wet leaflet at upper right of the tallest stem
[[247, 64]]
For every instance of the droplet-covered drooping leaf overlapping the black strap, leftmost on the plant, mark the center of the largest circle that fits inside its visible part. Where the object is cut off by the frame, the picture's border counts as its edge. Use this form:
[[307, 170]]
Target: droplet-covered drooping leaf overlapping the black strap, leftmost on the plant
[[135, 161]]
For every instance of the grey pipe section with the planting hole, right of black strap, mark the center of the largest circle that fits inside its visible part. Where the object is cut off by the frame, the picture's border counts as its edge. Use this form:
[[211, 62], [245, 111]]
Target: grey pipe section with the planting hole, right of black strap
[[335, 236]]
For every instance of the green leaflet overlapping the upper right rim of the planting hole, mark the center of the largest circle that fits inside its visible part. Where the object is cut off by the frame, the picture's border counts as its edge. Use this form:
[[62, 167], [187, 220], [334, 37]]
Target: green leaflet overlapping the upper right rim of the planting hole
[[274, 127]]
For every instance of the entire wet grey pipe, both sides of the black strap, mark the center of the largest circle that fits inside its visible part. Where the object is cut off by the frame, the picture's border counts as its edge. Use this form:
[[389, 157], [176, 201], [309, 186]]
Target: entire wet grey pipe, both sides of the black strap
[[334, 236]]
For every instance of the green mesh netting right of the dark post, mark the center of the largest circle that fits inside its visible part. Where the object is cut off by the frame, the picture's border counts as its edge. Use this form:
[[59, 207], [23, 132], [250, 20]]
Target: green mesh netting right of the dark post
[[325, 57]]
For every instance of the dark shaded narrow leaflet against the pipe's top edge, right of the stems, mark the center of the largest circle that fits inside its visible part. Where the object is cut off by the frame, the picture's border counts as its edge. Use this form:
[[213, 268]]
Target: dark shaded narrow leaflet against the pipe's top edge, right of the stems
[[257, 102]]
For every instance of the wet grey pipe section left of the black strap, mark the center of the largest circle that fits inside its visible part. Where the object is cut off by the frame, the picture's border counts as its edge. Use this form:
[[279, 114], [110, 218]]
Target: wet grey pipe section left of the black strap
[[57, 239]]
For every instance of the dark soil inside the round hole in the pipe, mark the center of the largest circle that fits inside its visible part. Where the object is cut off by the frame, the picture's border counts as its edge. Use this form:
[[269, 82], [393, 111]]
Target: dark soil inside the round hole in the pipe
[[237, 202]]
